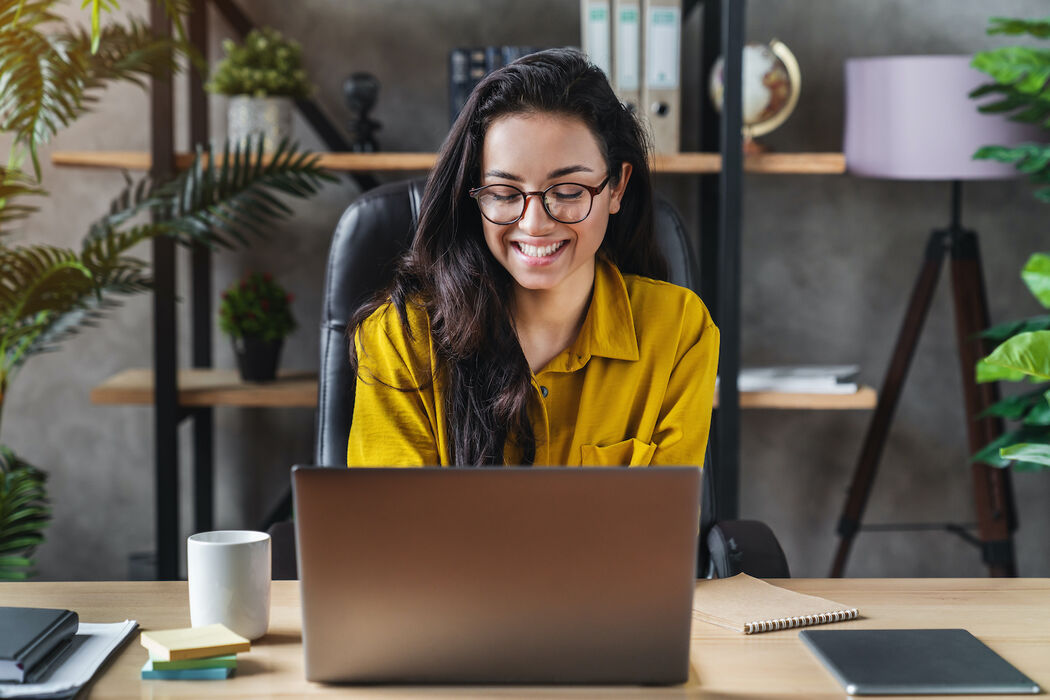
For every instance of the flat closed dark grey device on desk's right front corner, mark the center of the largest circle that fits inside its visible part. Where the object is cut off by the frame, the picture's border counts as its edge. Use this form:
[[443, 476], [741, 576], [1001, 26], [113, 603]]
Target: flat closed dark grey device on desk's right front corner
[[915, 663]]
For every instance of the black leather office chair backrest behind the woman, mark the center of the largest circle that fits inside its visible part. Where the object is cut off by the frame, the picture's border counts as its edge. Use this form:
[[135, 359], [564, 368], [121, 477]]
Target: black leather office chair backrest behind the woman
[[370, 238]]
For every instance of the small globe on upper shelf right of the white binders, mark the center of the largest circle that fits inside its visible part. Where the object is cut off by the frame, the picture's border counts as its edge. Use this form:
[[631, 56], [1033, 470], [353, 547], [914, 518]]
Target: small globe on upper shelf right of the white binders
[[771, 87]]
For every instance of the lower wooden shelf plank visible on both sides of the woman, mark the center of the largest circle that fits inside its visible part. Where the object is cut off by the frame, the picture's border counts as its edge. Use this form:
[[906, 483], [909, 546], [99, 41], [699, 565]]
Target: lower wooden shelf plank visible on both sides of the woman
[[296, 389]]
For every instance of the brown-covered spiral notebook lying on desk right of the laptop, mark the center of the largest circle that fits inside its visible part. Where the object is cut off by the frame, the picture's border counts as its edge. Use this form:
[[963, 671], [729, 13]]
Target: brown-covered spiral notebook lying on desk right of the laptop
[[750, 606]]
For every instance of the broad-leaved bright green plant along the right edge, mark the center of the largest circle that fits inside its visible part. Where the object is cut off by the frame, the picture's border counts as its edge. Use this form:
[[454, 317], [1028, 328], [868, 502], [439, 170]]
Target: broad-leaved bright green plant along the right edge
[[1023, 353]]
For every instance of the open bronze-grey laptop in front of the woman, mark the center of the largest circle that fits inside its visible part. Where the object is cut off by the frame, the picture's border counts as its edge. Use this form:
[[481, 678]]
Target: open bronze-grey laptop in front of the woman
[[497, 576]]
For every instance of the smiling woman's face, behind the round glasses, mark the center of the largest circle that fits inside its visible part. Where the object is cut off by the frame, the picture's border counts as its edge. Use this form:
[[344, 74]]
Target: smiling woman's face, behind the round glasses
[[533, 153]]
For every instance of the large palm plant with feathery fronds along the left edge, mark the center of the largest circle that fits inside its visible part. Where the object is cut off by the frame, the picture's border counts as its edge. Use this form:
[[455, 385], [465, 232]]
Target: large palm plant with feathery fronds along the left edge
[[49, 294]]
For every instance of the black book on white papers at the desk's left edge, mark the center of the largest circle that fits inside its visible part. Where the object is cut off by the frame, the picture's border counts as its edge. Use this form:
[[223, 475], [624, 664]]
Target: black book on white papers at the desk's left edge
[[29, 637]]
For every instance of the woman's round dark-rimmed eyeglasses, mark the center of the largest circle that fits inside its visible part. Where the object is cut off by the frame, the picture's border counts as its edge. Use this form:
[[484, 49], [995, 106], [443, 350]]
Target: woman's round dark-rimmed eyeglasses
[[566, 203]]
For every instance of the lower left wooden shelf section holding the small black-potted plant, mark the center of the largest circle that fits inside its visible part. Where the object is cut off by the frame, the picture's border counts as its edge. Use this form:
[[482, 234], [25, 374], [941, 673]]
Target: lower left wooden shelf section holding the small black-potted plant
[[213, 388]]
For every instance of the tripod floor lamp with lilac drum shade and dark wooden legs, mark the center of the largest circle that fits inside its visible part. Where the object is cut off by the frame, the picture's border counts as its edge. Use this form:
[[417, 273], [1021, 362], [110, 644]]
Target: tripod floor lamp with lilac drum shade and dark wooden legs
[[911, 118]]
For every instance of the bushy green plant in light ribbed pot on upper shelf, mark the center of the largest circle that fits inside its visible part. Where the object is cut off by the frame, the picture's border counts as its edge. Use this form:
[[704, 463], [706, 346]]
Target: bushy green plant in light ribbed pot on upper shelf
[[262, 77]]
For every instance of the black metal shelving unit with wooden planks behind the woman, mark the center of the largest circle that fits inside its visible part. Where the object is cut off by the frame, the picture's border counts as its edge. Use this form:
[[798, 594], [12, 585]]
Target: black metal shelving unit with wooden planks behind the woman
[[193, 393]]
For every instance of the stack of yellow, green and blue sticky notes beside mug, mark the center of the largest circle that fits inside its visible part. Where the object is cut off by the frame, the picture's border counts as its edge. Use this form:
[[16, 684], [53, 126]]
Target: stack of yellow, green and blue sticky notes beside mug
[[204, 653]]
